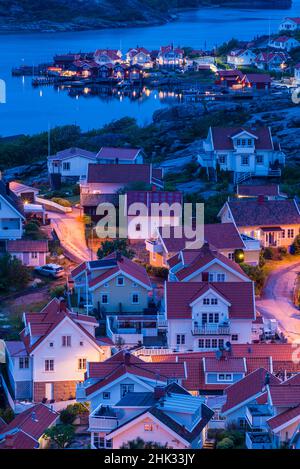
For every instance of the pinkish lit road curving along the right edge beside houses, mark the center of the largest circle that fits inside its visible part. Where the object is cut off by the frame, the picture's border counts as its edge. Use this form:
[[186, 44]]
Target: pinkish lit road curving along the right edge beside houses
[[277, 299]]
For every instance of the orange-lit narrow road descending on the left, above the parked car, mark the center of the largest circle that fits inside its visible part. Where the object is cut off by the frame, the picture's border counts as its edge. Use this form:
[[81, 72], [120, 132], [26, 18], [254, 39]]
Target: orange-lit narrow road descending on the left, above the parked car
[[70, 231]]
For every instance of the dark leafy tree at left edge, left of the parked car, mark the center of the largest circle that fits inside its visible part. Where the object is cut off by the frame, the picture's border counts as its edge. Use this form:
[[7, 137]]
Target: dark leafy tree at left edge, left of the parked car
[[13, 274]]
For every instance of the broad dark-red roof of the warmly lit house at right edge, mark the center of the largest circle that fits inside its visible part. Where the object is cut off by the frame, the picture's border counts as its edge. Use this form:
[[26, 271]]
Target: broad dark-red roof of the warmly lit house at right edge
[[248, 212]]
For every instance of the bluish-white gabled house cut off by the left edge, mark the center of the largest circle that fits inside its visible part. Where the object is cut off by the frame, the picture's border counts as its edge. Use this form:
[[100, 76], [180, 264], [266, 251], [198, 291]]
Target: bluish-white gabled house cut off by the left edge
[[11, 214]]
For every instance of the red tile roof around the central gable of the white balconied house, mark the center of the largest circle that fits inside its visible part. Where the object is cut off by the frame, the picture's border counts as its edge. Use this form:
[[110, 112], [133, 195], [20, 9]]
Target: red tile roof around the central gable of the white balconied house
[[180, 295]]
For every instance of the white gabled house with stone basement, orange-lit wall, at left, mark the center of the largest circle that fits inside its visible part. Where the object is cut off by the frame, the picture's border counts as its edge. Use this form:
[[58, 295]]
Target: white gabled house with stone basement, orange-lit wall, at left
[[53, 352]]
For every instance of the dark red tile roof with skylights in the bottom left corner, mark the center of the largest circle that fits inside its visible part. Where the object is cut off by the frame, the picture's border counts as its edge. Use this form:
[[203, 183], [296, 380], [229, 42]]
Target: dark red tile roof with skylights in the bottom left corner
[[33, 421]]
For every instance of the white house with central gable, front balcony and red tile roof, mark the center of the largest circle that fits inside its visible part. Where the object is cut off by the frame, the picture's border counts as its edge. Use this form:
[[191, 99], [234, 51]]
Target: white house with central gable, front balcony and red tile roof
[[208, 315]]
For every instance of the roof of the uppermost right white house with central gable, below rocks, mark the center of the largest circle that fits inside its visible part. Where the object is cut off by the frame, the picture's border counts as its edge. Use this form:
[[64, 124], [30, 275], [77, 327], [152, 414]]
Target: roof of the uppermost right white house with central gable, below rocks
[[223, 137]]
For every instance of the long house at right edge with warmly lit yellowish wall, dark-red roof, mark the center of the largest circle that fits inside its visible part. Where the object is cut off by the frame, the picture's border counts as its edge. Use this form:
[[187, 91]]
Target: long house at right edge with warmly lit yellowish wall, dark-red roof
[[275, 223]]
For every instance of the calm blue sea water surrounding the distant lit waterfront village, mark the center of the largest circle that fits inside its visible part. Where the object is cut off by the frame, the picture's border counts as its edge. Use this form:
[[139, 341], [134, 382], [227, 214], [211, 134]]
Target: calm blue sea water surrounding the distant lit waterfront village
[[30, 110]]
